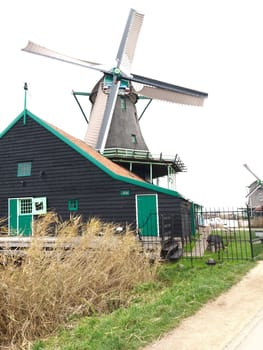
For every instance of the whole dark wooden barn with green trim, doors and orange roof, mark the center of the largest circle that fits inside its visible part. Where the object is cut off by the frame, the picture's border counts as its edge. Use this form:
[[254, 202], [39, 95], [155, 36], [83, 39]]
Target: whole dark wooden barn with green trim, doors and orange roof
[[45, 169]]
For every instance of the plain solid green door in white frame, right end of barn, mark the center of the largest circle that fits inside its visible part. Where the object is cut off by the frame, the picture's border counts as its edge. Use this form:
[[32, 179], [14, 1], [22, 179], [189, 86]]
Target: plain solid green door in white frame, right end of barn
[[147, 215]]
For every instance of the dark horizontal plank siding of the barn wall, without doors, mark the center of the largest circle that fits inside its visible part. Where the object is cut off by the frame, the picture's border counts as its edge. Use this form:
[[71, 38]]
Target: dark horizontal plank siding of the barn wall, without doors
[[60, 173]]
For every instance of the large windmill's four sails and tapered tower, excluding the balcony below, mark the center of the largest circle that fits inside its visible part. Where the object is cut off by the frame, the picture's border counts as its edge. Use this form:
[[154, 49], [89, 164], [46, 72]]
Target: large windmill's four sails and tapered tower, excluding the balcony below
[[113, 121]]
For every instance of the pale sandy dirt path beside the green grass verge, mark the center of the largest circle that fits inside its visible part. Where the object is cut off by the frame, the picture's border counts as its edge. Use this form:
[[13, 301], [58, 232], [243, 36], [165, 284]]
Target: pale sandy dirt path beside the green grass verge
[[216, 325]]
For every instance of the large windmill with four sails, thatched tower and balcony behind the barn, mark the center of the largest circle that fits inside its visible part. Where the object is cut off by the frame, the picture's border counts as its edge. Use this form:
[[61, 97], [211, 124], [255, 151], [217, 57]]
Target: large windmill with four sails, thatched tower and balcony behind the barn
[[114, 128]]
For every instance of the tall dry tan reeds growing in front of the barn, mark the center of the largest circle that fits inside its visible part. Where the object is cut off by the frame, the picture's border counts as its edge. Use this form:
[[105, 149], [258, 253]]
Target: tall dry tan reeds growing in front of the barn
[[93, 275]]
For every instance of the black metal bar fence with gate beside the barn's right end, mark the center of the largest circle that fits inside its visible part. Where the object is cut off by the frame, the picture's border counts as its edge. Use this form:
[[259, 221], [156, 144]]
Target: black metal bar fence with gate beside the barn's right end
[[214, 235]]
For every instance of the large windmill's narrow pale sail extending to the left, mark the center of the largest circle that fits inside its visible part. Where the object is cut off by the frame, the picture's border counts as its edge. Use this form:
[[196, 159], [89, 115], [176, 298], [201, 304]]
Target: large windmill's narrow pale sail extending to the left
[[43, 51]]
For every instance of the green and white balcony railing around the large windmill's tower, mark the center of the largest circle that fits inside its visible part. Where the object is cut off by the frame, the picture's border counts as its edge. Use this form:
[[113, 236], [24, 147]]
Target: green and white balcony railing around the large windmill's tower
[[134, 153]]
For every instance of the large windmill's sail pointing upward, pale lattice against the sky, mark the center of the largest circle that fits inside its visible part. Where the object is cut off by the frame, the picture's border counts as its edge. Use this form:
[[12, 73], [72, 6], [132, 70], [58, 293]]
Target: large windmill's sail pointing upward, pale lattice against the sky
[[129, 39]]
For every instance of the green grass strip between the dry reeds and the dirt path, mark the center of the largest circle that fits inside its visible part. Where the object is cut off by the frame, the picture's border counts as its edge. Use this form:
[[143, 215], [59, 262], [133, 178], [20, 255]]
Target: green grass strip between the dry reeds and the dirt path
[[179, 291]]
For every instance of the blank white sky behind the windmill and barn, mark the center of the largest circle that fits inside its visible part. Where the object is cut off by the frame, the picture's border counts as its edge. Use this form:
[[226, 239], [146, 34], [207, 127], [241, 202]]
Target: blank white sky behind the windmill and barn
[[212, 46]]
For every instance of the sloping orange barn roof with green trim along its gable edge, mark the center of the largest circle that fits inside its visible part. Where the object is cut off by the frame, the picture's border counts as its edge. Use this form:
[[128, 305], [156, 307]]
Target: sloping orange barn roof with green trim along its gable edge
[[114, 170]]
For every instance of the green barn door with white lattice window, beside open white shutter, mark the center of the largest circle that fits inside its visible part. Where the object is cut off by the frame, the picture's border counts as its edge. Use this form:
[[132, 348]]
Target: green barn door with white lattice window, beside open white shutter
[[20, 216]]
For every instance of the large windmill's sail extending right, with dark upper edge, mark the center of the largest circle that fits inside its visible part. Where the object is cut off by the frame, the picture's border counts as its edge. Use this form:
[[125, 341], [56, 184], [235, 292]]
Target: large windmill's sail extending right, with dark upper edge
[[160, 90]]
